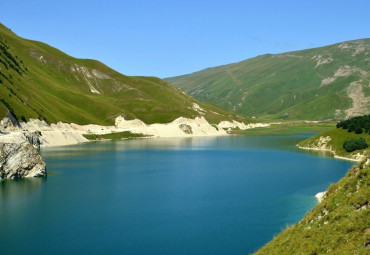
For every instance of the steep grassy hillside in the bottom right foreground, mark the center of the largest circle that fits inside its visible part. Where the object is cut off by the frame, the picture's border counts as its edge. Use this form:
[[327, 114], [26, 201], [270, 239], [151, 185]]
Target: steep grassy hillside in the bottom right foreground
[[340, 224]]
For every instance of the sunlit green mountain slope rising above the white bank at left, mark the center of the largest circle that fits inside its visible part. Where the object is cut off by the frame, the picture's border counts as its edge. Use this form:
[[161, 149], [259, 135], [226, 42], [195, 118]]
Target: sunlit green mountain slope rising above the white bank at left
[[39, 81]]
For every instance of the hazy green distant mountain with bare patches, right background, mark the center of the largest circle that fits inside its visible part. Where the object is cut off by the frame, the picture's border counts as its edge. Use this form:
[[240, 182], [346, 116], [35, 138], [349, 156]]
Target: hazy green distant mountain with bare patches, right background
[[330, 82]]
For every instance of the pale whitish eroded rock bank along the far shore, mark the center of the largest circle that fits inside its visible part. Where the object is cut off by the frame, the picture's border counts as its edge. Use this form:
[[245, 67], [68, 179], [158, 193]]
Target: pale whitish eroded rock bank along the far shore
[[70, 133]]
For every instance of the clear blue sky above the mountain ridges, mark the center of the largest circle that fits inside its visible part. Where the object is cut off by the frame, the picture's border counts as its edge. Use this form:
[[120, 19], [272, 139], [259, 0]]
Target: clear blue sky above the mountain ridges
[[169, 38]]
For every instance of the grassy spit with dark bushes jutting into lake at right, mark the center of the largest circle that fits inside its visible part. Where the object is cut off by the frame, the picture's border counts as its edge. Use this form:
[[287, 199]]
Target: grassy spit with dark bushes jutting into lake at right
[[338, 137]]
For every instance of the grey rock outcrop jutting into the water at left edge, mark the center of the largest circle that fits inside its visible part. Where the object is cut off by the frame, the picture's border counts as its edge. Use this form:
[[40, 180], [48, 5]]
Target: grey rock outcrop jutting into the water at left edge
[[20, 160]]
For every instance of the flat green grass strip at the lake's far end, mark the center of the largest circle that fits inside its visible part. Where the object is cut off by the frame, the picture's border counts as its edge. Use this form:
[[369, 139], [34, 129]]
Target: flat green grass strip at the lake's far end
[[287, 128]]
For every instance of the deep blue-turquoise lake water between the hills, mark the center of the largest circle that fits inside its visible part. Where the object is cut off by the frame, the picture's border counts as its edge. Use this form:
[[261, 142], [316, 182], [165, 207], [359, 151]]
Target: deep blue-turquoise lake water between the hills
[[225, 195]]
